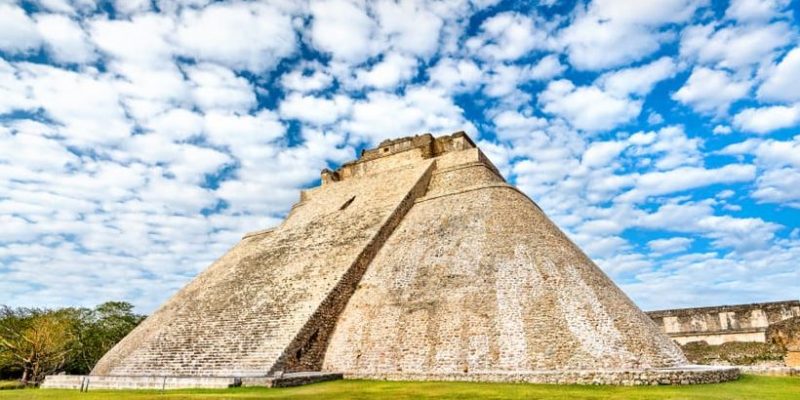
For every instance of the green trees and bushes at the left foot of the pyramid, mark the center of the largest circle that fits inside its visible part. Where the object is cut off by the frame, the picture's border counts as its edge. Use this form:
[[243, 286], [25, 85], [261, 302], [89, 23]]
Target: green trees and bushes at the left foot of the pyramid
[[35, 342]]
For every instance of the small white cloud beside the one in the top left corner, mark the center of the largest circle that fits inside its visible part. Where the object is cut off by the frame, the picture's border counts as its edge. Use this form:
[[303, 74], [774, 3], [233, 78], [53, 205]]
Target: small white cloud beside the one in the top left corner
[[66, 41]]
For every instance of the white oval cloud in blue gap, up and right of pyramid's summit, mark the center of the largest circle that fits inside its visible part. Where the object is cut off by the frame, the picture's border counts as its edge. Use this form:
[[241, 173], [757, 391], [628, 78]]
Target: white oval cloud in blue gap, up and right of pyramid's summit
[[587, 107]]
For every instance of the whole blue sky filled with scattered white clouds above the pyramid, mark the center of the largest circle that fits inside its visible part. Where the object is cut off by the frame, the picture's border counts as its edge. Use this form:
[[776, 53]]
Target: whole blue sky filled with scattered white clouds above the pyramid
[[140, 139]]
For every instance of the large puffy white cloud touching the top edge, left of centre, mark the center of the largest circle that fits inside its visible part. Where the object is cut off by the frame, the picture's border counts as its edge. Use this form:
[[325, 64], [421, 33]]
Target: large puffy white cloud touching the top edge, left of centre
[[251, 36]]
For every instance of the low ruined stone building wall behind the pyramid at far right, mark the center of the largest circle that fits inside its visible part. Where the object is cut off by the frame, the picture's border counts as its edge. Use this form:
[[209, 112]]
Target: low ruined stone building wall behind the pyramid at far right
[[717, 325]]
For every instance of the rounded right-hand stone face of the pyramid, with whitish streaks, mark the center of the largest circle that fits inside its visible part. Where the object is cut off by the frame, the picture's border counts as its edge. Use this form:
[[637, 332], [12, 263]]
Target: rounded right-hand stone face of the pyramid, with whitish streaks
[[476, 279]]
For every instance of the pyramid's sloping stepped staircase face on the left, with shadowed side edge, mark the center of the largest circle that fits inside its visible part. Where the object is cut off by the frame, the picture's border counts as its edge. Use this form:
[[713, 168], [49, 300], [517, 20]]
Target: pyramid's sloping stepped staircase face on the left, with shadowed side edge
[[270, 302]]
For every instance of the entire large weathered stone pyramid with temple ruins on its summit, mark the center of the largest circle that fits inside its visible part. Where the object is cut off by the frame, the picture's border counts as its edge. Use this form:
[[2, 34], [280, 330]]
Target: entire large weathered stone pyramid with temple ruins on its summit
[[417, 261]]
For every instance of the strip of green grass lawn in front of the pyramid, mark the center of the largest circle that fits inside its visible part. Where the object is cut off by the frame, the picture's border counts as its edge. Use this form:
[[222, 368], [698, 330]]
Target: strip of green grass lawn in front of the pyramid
[[748, 387]]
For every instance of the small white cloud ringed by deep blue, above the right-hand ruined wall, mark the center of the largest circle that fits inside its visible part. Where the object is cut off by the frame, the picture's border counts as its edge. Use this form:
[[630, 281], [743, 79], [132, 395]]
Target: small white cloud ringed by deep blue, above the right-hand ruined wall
[[711, 91]]
